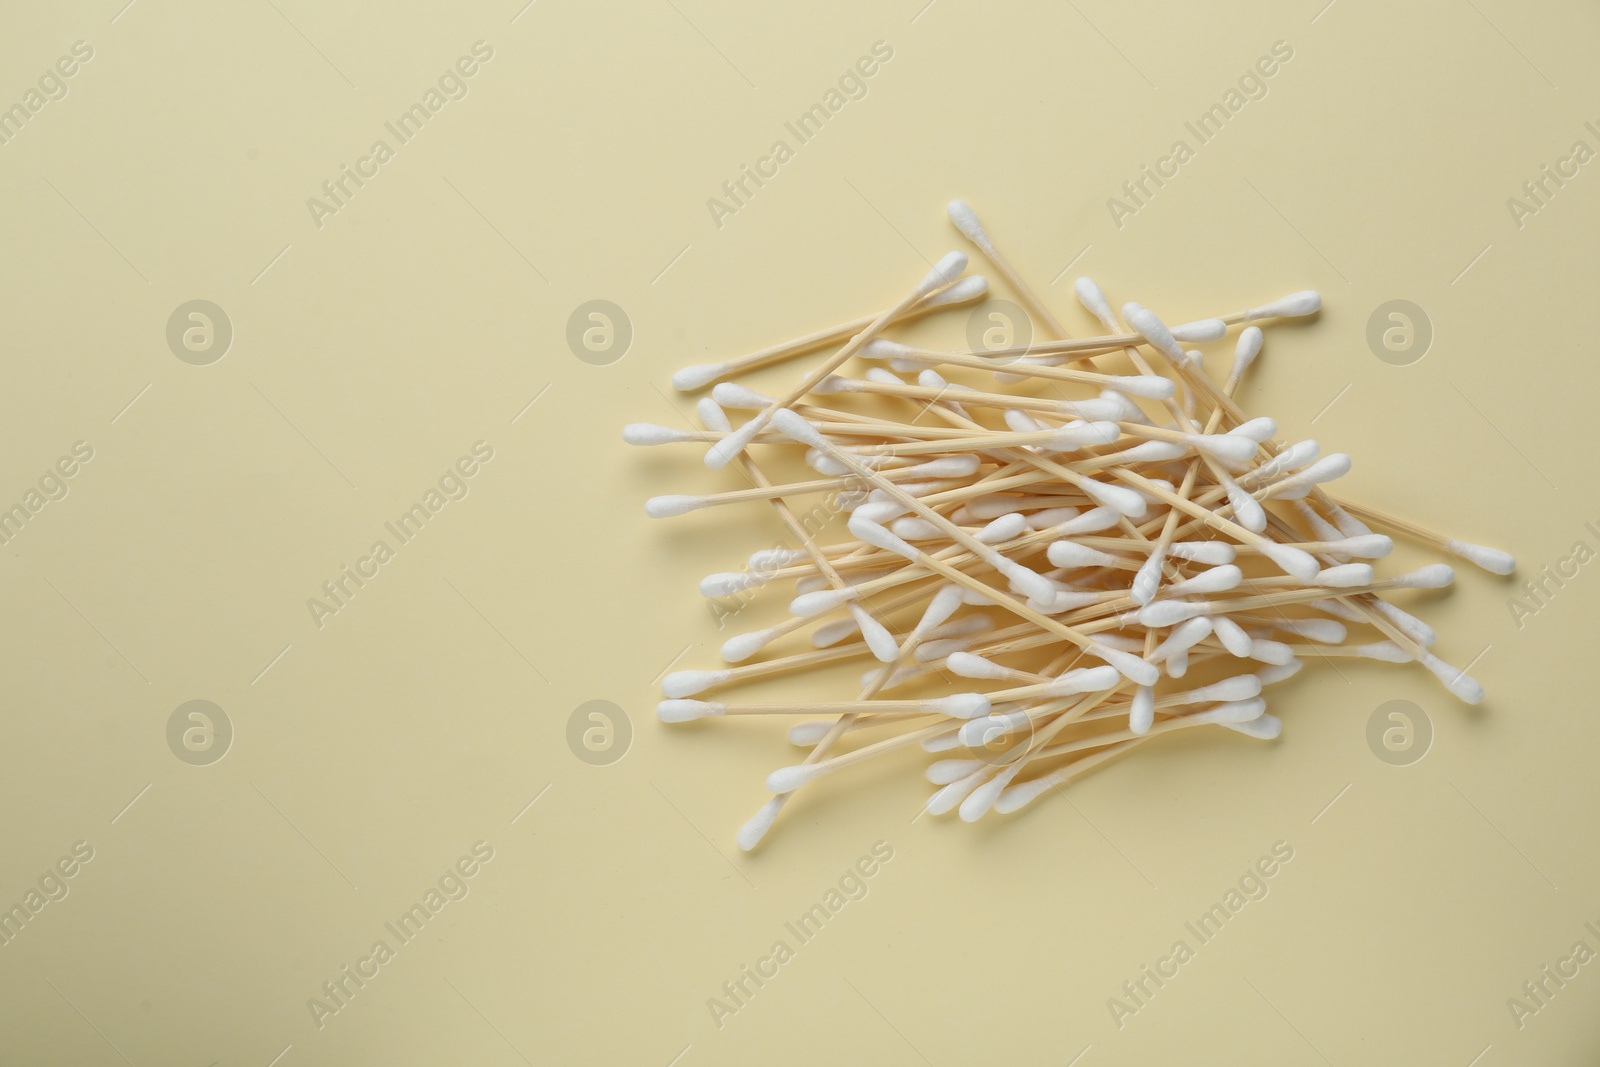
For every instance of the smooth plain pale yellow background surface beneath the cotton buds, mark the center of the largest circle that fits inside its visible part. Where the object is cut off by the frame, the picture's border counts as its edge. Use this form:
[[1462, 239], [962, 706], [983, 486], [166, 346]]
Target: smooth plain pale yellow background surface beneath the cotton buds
[[369, 354]]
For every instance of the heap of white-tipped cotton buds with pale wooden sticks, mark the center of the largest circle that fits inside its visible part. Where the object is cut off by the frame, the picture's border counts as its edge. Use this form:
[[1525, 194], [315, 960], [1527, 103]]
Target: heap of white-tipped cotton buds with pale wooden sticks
[[1076, 556]]
